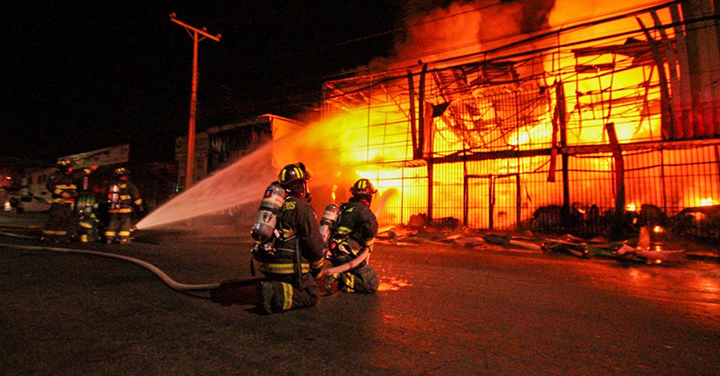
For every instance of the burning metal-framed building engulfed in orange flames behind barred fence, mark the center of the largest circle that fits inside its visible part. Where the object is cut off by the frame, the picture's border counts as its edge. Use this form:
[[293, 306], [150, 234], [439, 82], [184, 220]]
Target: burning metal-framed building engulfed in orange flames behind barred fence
[[521, 106]]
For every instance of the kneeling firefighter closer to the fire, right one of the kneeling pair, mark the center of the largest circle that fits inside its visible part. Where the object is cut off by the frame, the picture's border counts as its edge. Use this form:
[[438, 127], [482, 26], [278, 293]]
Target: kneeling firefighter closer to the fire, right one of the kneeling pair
[[354, 232]]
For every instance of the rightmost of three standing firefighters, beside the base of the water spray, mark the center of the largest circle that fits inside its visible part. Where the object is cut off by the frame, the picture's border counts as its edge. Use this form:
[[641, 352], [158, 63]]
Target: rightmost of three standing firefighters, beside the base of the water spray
[[123, 198]]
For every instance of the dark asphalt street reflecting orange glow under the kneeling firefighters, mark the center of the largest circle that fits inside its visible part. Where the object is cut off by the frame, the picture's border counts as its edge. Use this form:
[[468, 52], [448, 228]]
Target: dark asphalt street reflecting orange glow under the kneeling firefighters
[[441, 310]]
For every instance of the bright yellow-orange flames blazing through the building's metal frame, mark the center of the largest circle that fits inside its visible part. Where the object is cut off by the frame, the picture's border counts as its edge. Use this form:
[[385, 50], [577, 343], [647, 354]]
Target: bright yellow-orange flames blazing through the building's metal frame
[[601, 87]]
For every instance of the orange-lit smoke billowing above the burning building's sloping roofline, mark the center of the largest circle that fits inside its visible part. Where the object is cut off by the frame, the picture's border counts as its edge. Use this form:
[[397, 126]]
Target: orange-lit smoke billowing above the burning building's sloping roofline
[[441, 29]]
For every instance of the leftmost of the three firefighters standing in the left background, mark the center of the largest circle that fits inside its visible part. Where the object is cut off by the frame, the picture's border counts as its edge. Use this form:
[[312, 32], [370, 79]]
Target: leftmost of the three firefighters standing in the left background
[[62, 221]]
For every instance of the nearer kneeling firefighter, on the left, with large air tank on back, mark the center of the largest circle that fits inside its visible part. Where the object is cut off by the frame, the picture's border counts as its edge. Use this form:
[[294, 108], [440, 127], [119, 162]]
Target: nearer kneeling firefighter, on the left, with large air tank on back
[[296, 255]]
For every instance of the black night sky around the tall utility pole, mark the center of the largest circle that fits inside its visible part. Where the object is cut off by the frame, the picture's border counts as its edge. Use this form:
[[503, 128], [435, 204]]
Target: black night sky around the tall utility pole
[[82, 75]]
